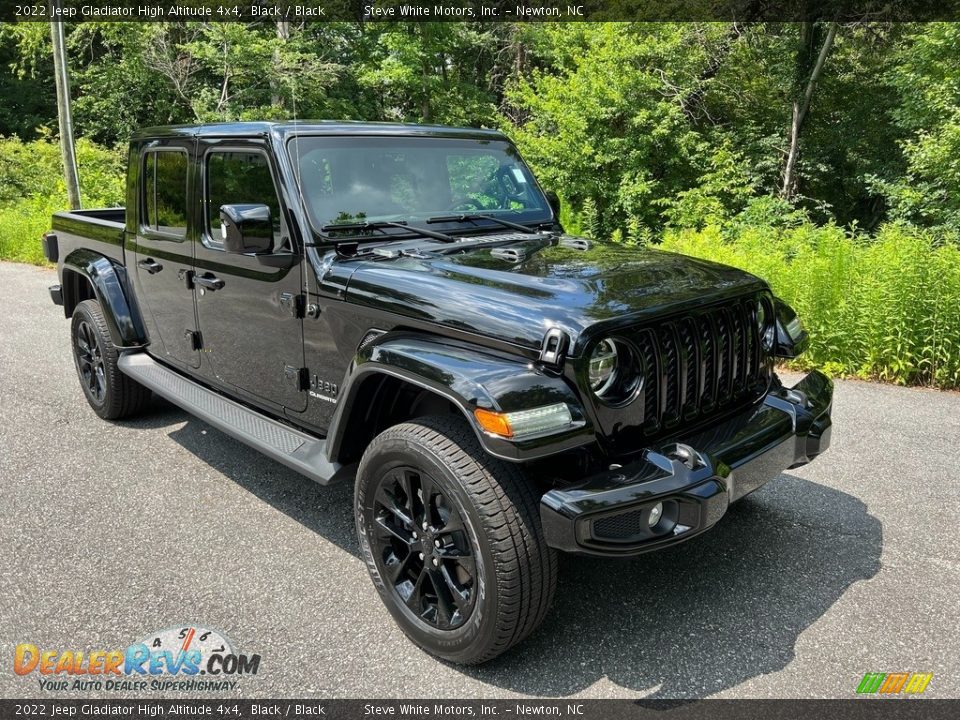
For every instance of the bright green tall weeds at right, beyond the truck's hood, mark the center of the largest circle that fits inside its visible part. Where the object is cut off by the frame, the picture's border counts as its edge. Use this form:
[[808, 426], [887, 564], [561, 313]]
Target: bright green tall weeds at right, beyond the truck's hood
[[882, 307]]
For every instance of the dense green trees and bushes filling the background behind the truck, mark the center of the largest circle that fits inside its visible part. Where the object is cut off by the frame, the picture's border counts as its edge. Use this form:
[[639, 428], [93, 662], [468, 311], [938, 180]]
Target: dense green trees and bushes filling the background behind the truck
[[823, 157]]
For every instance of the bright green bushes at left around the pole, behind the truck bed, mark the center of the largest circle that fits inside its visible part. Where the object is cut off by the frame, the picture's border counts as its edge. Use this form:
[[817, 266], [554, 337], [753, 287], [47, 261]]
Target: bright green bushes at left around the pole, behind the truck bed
[[32, 189]]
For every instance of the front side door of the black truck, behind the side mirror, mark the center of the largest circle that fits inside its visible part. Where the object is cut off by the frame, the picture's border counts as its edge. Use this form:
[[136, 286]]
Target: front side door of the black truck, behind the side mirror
[[251, 330]]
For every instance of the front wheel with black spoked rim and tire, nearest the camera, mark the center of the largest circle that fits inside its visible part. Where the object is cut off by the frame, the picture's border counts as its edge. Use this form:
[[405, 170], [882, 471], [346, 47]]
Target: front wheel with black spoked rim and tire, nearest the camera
[[511, 579]]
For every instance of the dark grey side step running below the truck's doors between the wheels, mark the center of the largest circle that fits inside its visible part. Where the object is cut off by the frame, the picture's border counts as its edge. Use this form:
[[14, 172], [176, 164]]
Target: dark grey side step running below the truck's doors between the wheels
[[295, 449]]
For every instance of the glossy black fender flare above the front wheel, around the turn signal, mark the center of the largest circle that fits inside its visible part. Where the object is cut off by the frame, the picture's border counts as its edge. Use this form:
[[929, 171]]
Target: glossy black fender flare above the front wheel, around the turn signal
[[469, 378]]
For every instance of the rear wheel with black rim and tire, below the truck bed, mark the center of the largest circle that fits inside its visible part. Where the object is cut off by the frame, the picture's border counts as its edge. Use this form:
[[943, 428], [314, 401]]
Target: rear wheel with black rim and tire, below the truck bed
[[111, 394]]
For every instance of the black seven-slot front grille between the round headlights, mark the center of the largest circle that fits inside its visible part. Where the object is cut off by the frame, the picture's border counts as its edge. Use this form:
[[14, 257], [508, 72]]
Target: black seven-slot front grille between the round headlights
[[700, 364]]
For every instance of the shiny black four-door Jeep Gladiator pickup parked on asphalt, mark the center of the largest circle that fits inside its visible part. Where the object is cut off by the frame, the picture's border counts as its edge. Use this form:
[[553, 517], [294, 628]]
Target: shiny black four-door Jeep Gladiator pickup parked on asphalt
[[399, 306]]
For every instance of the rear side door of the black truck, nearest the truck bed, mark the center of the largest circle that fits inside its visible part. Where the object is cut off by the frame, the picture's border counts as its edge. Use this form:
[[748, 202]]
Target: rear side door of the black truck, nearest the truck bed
[[163, 252]]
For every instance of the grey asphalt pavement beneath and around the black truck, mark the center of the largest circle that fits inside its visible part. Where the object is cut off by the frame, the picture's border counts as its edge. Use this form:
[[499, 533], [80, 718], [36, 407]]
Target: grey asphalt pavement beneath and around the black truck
[[112, 531]]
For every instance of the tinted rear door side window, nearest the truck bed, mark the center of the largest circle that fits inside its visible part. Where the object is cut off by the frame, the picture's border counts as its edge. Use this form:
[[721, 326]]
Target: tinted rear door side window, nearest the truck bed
[[165, 193]]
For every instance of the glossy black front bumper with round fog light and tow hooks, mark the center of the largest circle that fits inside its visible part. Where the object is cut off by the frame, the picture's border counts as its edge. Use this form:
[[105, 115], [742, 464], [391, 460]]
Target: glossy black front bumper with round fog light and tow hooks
[[693, 481]]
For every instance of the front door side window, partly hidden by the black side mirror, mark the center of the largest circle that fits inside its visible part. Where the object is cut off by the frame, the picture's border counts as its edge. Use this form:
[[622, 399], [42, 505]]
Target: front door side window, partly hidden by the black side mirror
[[235, 177]]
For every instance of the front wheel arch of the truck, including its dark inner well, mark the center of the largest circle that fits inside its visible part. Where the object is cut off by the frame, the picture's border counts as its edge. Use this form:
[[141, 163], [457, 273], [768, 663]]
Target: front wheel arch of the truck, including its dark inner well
[[400, 378]]
